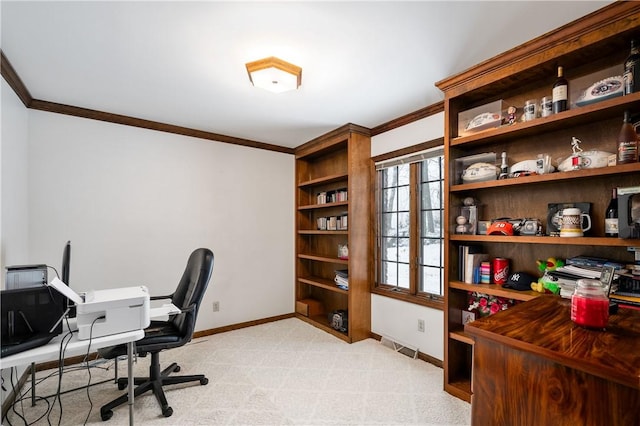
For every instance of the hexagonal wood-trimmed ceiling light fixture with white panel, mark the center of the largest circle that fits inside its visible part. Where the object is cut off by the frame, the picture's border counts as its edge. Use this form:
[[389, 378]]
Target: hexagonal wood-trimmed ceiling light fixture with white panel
[[274, 74]]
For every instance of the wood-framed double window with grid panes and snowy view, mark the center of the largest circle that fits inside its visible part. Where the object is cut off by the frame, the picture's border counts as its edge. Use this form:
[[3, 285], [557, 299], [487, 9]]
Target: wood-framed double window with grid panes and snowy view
[[409, 234]]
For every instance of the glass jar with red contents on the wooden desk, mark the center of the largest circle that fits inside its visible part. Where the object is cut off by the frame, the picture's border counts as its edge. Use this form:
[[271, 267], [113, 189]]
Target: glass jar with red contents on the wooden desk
[[590, 304]]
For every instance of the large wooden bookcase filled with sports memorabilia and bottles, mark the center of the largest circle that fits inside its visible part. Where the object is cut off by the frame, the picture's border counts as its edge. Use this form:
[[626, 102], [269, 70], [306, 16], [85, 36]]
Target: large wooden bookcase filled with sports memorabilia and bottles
[[528, 72]]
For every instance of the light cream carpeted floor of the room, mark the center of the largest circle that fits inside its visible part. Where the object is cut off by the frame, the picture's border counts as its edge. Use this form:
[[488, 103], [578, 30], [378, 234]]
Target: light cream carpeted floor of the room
[[281, 373]]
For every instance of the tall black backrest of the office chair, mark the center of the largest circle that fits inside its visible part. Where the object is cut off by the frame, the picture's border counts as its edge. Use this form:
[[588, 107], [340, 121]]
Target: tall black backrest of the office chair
[[192, 285]]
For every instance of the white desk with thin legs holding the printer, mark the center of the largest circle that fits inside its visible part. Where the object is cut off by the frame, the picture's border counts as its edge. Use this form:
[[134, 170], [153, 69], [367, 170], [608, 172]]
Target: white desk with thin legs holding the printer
[[50, 352]]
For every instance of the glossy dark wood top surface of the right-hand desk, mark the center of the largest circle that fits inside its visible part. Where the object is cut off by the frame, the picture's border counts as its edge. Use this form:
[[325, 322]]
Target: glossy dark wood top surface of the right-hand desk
[[543, 326]]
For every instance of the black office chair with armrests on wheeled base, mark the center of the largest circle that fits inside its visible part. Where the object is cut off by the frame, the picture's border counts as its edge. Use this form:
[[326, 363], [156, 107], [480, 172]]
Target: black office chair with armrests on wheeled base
[[161, 335]]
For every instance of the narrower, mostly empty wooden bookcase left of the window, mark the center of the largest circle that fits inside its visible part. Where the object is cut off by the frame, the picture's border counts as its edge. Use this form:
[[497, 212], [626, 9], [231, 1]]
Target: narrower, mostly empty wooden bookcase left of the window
[[336, 161]]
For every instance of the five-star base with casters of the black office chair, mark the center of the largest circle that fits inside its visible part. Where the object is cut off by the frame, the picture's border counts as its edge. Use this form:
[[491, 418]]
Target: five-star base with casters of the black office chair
[[156, 380]]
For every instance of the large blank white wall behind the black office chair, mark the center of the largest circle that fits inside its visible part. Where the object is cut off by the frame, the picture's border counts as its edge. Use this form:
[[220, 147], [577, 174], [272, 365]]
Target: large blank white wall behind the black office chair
[[136, 202]]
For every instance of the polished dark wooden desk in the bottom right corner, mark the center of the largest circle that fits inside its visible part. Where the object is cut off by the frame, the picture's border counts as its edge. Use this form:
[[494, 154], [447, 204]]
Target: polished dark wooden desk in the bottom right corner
[[533, 366]]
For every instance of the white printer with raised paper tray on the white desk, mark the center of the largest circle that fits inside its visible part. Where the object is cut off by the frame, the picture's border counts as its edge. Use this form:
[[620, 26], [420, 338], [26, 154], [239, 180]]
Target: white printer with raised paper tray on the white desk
[[104, 312]]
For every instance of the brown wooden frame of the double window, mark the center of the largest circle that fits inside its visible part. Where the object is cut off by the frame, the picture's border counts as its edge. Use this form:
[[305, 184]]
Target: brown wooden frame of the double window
[[411, 295]]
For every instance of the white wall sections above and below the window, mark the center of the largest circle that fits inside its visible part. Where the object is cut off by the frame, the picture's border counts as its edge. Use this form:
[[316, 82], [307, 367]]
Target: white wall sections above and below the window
[[391, 317]]
